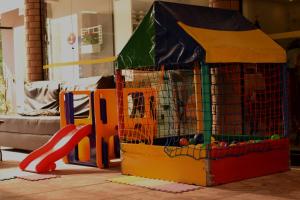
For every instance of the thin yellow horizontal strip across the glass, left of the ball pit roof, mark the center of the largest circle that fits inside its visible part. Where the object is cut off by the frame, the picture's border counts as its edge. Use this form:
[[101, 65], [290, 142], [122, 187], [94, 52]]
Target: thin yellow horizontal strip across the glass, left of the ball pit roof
[[81, 62]]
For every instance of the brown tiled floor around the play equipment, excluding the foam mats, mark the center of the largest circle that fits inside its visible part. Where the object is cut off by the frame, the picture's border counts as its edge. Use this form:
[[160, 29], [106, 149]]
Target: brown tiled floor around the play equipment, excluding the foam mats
[[77, 182]]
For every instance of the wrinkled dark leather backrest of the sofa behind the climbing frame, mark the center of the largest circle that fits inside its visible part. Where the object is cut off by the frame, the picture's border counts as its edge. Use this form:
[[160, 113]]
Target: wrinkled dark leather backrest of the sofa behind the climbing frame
[[42, 97]]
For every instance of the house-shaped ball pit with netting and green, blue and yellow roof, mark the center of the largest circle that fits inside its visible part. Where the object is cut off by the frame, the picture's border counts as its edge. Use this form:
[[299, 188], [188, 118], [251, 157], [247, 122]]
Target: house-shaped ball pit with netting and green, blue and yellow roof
[[201, 98]]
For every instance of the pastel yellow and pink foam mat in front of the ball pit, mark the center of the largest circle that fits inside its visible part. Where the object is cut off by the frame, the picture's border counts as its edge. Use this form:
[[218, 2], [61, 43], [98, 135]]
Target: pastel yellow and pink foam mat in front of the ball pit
[[153, 184]]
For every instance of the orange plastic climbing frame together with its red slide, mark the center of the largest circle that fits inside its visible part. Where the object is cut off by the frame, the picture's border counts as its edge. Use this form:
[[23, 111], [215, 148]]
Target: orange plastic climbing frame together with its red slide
[[91, 140]]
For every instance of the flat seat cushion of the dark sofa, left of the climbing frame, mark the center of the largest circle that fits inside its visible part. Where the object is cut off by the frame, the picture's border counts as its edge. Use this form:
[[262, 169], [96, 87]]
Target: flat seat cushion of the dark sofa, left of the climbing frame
[[39, 125]]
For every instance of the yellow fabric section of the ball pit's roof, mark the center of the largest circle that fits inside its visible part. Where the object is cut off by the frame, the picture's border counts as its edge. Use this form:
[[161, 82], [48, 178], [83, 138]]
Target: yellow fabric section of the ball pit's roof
[[251, 46]]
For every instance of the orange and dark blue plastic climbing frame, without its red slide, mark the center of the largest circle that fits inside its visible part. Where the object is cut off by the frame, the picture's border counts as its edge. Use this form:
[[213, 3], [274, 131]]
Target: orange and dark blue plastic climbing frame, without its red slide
[[100, 148]]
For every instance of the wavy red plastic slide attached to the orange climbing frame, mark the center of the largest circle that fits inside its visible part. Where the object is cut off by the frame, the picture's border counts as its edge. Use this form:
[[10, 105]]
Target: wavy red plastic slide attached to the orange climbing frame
[[43, 159]]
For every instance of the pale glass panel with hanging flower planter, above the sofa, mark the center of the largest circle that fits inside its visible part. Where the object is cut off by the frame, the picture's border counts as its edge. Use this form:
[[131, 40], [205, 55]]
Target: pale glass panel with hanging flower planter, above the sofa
[[79, 30]]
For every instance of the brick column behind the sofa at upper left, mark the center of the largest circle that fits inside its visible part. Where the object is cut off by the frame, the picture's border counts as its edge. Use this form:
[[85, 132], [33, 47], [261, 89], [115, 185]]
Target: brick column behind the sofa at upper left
[[34, 41]]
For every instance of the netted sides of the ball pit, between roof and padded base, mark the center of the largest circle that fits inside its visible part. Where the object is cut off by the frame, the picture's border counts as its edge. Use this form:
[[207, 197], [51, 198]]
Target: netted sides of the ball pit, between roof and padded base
[[209, 111]]
